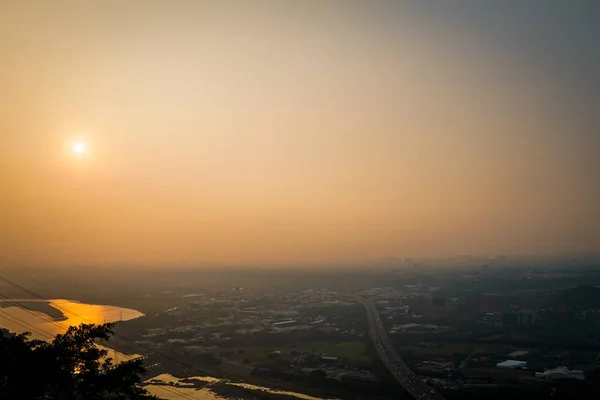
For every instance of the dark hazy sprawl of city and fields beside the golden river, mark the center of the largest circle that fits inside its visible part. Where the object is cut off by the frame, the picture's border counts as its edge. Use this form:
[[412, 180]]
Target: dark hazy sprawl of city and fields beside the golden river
[[491, 327]]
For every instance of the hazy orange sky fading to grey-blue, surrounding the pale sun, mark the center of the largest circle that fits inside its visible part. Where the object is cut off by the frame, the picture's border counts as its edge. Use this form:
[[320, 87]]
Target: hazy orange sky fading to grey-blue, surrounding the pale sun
[[297, 131]]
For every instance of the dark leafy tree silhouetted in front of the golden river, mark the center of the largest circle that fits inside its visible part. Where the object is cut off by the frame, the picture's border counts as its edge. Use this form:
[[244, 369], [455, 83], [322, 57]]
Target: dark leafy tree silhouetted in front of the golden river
[[70, 367]]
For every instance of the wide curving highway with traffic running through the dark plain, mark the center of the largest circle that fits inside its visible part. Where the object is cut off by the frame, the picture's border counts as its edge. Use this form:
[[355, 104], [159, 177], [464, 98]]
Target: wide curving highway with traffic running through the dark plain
[[399, 370]]
